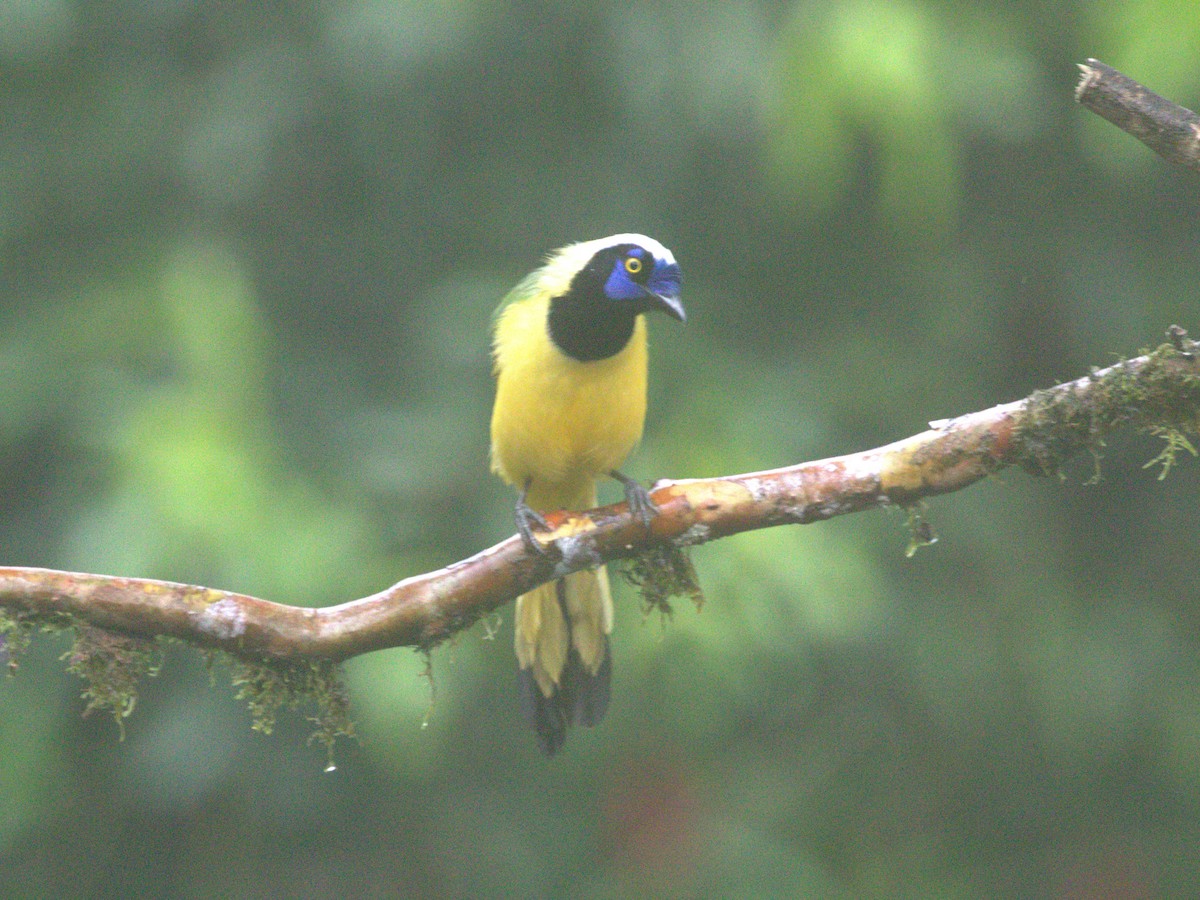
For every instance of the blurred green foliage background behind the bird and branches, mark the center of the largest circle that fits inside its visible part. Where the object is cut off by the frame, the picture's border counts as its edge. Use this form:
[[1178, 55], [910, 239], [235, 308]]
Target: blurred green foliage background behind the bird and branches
[[249, 255]]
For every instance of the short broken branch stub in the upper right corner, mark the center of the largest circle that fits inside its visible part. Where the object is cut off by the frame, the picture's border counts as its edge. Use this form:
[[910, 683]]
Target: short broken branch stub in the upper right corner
[[1169, 130]]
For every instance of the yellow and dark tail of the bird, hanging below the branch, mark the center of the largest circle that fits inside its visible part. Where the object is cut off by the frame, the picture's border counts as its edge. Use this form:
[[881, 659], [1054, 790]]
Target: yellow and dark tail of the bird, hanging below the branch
[[562, 643]]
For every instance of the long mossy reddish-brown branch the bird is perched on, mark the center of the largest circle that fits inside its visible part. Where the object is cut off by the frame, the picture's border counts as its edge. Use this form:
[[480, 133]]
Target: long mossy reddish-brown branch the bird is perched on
[[1159, 392]]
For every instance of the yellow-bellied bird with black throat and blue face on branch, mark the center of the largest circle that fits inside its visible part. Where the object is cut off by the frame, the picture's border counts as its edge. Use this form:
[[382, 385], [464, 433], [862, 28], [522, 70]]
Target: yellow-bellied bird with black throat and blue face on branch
[[569, 356]]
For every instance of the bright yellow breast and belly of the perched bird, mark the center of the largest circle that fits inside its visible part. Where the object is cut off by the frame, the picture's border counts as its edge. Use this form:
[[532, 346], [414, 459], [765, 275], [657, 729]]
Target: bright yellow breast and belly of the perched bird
[[560, 422]]
